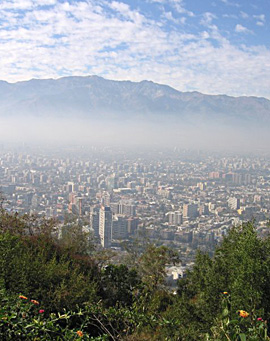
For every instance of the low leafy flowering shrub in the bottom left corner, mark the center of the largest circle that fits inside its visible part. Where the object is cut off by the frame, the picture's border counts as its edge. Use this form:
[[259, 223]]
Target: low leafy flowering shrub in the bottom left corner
[[24, 319]]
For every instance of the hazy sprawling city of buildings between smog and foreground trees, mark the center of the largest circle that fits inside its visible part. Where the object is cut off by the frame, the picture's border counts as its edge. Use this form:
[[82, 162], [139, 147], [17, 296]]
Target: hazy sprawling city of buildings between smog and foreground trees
[[183, 199]]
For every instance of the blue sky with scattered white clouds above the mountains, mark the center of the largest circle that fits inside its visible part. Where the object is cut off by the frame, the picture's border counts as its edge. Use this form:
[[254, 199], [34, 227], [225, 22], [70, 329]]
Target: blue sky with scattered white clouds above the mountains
[[211, 46]]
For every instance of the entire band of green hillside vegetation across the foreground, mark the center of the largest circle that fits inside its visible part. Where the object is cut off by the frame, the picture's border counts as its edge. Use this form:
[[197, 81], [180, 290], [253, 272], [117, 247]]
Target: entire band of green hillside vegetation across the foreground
[[67, 290]]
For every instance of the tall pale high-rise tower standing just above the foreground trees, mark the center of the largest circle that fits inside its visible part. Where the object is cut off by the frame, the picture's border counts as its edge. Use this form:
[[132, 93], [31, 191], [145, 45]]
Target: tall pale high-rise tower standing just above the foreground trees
[[105, 226]]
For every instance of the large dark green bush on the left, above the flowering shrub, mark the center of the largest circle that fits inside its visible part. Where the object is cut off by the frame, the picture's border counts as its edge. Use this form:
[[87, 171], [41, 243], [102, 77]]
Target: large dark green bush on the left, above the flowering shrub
[[37, 265]]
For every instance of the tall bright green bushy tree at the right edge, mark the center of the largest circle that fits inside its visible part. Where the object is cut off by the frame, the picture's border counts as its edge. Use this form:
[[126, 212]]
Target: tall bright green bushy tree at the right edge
[[241, 266]]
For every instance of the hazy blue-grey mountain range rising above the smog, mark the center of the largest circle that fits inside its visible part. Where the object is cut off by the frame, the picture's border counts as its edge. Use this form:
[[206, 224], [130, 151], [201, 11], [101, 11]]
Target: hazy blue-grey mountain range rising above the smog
[[96, 97]]
